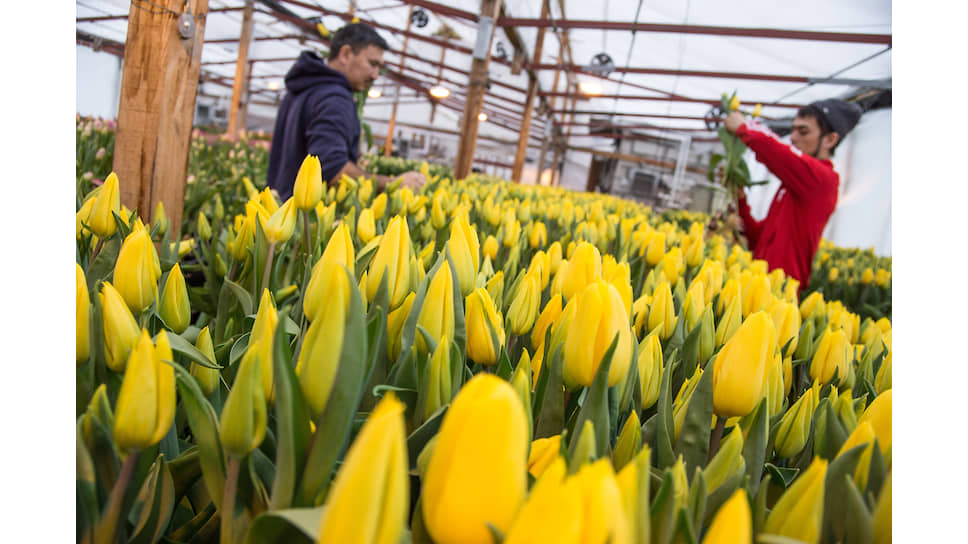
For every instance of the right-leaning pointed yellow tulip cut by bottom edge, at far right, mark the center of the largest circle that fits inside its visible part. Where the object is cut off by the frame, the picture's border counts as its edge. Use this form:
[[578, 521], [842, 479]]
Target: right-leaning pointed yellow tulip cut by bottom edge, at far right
[[799, 511]]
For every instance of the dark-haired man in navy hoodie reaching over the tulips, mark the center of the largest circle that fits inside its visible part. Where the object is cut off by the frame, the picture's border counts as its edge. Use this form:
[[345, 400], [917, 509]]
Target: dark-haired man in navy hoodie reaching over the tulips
[[318, 114]]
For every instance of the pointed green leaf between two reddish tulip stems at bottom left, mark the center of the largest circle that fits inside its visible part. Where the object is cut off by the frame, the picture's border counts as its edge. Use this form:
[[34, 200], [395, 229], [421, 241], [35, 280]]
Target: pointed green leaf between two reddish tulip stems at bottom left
[[154, 505]]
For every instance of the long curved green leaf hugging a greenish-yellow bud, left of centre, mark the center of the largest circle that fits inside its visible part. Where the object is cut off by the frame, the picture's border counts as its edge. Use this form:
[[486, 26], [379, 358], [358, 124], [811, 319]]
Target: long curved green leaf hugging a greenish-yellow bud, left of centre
[[334, 425]]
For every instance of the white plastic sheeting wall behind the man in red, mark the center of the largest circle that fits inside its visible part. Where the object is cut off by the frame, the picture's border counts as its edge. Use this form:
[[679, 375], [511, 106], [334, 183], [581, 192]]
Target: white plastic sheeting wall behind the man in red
[[863, 214]]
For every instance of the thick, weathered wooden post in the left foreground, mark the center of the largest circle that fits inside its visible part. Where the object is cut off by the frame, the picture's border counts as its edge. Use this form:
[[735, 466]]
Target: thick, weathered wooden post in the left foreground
[[158, 86]]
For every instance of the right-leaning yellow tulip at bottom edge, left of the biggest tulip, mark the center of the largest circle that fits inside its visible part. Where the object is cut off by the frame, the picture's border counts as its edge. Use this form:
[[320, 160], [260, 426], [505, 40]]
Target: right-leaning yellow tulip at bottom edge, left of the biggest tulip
[[370, 497]]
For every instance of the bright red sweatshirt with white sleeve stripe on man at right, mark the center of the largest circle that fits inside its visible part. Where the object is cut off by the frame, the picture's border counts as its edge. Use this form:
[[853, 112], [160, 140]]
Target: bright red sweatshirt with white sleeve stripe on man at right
[[788, 236]]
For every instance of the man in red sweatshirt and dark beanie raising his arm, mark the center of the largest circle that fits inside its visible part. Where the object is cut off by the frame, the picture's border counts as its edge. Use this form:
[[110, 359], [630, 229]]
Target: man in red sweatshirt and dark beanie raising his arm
[[788, 236]]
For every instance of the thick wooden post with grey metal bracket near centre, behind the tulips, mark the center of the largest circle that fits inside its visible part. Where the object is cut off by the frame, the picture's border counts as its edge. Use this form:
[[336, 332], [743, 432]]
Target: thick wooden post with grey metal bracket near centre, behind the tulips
[[475, 93]]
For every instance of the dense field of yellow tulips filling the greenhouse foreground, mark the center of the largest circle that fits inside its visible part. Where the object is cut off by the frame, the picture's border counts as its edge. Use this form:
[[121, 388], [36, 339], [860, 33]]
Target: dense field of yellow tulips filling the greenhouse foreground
[[475, 362]]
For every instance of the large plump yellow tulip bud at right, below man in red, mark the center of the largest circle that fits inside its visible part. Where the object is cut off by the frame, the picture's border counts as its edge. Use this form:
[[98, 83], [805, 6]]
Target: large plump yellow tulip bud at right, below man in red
[[741, 367]]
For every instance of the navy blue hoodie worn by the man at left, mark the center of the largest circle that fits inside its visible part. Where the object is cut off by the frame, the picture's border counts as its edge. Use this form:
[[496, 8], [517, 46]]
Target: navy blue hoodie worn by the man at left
[[316, 117]]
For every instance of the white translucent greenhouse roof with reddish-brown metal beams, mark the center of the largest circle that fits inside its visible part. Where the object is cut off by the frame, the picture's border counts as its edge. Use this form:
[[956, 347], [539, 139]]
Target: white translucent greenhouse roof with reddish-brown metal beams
[[659, 65]]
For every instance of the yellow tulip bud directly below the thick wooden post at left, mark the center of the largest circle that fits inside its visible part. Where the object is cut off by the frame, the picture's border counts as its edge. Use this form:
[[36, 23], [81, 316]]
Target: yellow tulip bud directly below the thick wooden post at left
[[136, 271]]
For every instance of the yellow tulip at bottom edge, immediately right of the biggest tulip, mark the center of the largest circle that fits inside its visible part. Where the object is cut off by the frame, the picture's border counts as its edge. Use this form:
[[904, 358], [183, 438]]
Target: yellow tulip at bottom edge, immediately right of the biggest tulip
[[553, 511]]
